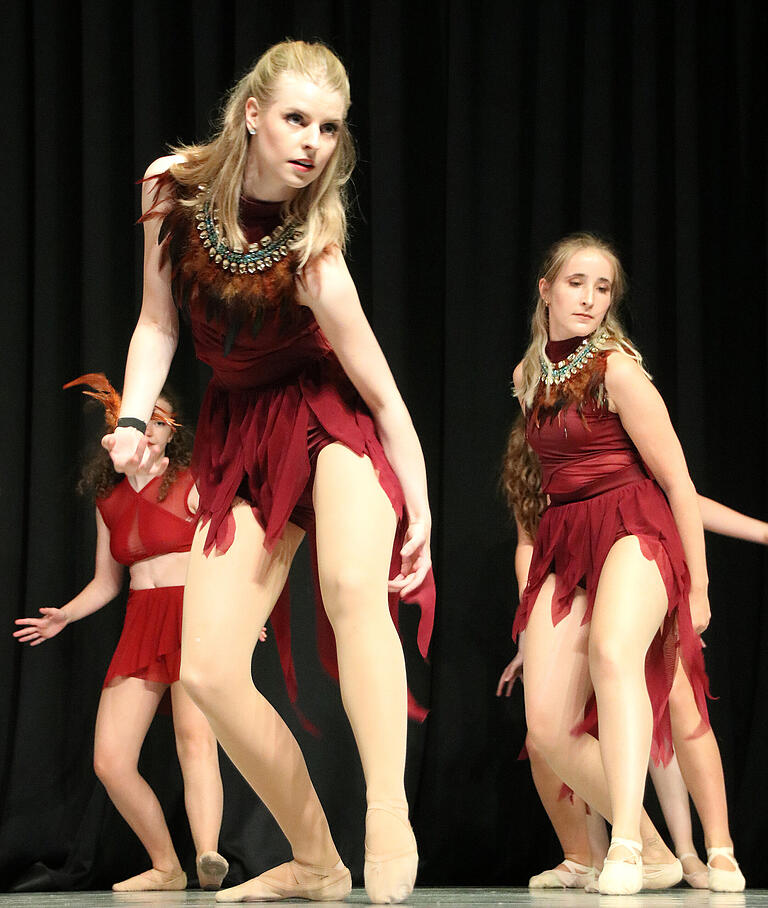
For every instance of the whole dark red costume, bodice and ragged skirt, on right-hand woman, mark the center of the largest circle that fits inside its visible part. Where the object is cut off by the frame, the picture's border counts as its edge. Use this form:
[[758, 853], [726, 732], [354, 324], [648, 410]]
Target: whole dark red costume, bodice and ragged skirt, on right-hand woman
[[600, 491]]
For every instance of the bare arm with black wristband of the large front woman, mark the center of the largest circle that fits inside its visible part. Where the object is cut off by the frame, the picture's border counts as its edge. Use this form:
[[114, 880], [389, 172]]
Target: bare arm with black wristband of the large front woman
[[155, 337]]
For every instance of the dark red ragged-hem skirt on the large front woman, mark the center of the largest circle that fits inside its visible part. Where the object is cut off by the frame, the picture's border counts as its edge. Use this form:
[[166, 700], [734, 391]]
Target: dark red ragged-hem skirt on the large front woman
[[261, 444]]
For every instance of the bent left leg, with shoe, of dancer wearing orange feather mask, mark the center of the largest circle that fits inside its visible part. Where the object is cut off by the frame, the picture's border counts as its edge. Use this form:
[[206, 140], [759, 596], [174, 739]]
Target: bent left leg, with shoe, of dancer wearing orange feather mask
[[126, 709]]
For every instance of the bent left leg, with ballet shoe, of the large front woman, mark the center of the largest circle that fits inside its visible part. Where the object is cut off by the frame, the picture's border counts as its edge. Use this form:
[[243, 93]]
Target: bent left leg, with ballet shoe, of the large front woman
[[227, 600]]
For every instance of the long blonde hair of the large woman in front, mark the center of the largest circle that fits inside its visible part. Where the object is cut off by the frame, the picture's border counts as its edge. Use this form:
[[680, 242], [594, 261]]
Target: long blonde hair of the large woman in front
[[319, 210]]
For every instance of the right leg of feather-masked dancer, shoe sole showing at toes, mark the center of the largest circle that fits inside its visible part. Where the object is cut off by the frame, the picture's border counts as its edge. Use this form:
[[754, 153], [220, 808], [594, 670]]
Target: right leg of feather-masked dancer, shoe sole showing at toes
[[203, 793]]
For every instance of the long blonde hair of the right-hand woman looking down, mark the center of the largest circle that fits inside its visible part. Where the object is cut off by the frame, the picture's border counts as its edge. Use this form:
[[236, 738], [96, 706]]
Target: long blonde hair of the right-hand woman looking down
[[555, 259]]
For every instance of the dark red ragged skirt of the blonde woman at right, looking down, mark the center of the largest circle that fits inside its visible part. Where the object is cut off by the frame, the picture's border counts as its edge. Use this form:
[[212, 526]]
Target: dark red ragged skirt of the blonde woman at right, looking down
[[573, 541]]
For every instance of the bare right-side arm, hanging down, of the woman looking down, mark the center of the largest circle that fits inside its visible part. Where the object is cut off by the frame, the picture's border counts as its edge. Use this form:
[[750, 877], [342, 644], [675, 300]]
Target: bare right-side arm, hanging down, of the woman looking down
[[645, 418]]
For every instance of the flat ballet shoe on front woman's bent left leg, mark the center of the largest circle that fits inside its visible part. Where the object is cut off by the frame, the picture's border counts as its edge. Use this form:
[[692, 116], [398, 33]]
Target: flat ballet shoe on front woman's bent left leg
[[293, 880]]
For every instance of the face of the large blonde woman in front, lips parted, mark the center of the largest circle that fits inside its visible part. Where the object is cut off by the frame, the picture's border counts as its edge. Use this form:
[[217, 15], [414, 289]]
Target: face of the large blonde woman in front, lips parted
[[295, 136]]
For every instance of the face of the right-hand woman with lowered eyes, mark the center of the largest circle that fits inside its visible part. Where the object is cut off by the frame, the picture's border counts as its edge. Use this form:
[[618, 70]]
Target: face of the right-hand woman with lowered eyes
[[580, 295]]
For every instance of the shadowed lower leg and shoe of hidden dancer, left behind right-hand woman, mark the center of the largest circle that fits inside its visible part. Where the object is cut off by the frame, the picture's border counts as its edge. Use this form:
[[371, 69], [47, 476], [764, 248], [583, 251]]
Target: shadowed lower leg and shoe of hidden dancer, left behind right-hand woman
[[568, 817]]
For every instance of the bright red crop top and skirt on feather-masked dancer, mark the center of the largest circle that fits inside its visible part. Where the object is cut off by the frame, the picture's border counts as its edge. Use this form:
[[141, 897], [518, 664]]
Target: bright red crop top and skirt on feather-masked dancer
[[142, 527]]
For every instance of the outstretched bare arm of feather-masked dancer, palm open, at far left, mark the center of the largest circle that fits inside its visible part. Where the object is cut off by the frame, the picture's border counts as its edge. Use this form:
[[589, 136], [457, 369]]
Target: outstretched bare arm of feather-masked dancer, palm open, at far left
[[106, 584]]
